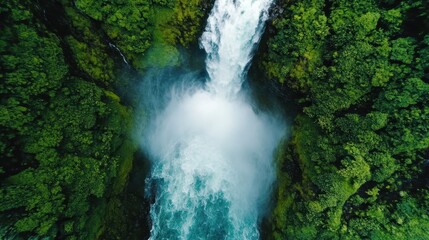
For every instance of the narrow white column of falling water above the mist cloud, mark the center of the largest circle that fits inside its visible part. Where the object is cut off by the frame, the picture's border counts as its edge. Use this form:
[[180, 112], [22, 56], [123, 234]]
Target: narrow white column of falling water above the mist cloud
[[233, 29]]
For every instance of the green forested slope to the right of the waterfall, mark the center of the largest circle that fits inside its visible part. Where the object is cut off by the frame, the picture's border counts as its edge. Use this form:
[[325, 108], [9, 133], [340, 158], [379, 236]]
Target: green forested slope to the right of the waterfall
[[354, 168]]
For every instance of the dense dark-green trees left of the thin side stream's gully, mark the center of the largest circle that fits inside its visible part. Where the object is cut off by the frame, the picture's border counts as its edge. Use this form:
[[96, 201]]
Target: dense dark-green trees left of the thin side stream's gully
[[61, 135]]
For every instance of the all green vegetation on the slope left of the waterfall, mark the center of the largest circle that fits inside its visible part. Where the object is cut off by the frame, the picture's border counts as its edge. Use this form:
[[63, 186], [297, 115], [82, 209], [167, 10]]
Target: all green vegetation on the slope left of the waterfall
[[64, 130]]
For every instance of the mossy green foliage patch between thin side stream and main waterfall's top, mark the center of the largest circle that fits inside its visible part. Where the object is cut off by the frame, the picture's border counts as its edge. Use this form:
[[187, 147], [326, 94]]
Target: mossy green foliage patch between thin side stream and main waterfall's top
[[135, 26]]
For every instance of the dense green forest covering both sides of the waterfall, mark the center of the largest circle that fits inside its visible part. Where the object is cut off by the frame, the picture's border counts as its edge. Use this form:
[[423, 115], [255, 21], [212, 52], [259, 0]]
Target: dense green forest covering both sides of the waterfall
[[356, 165]]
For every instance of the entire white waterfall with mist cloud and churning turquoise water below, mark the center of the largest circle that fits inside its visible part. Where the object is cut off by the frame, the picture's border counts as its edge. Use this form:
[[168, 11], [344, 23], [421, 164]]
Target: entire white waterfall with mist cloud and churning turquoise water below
[[212, 153]]
